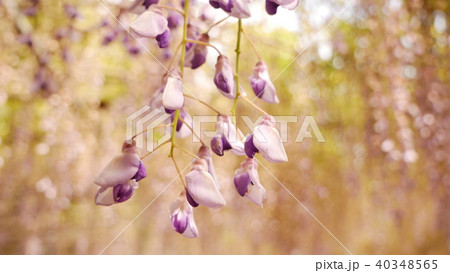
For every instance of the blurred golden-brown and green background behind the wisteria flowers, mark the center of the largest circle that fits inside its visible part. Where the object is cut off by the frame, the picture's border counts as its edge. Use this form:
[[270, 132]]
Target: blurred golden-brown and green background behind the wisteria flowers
[[376, 80]]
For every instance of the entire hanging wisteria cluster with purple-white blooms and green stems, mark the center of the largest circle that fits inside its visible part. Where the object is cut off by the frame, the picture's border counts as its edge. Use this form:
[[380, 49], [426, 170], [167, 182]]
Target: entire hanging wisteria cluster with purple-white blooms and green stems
[[119, 179]]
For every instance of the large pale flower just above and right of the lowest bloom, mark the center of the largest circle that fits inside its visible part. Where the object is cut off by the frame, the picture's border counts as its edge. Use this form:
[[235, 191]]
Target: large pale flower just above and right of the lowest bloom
[[201, 186]]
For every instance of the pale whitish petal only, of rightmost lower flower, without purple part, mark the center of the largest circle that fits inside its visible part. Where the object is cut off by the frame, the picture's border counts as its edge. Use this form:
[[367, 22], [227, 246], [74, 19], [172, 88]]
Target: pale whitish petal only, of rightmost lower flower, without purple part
[[267, 140]]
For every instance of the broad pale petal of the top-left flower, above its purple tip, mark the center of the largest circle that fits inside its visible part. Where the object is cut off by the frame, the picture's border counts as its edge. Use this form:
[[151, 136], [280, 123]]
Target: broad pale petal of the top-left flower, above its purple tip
[[149, 24]]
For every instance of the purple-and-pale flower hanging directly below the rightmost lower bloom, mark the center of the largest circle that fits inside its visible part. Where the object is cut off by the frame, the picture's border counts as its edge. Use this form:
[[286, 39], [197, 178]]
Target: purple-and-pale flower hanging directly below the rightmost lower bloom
[[246, 181]]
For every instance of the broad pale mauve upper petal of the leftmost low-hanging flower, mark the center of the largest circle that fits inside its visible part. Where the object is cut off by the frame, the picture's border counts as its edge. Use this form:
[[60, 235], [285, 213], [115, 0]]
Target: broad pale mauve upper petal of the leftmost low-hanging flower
[[119, 170]]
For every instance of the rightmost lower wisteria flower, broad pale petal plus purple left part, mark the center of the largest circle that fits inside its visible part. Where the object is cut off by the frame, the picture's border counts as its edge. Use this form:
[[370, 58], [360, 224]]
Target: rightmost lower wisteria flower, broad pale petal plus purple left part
[[267, 141]]
